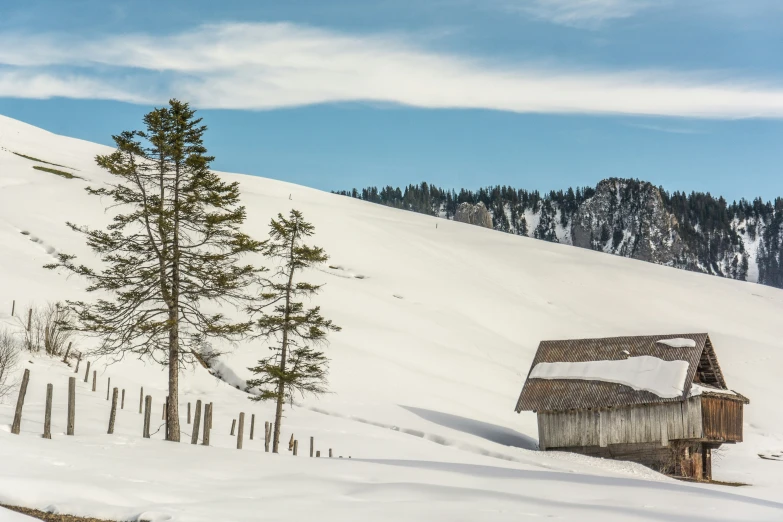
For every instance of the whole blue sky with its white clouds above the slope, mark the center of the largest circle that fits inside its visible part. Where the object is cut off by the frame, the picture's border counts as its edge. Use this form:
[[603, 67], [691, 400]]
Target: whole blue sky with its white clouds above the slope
[[539, 94]]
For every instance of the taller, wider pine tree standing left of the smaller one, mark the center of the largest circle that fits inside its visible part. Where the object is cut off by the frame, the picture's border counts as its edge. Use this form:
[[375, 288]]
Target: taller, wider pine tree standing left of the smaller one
[[177, 246]]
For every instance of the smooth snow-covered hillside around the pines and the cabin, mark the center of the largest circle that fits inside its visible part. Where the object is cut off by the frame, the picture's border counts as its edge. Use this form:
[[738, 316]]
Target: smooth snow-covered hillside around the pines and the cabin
[[439, 328]]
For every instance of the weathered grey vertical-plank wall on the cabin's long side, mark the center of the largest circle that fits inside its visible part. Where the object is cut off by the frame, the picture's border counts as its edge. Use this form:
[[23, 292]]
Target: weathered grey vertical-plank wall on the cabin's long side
[[629, 425]]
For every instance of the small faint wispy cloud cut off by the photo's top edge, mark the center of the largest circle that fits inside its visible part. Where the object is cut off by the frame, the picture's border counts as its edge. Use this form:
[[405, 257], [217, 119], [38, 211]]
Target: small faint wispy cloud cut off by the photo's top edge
[[579, 12]]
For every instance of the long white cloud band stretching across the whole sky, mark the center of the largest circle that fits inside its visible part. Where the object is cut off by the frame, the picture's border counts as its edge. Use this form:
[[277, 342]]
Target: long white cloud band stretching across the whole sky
[[260, 66]]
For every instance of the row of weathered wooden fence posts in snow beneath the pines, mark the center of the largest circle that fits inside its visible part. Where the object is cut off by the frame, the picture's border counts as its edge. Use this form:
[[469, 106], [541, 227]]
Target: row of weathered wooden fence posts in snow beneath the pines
[[145, 402]]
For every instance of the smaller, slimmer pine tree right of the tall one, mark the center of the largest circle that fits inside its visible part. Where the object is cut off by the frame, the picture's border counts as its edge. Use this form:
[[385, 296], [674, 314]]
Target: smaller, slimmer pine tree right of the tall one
[[294, 366]]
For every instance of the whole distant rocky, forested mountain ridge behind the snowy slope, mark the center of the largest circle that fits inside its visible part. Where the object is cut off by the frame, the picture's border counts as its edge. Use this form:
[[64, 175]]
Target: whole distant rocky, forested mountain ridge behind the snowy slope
[[626, 217]]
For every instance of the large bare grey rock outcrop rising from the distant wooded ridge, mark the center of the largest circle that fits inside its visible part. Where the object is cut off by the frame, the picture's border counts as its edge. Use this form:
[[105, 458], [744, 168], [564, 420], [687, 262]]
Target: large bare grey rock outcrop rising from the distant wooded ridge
[[628, 219]]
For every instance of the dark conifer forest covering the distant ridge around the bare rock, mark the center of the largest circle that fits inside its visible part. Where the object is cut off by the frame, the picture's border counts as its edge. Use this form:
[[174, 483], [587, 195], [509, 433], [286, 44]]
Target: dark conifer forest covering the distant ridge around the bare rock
[[708, 223]]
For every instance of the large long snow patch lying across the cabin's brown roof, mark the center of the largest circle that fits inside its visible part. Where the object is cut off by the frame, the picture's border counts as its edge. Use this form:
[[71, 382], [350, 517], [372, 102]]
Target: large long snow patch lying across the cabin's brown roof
[[663, 378]]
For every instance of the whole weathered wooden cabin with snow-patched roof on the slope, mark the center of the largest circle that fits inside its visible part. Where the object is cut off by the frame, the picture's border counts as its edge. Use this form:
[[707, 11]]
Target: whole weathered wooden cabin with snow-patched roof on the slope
[[659, 400]]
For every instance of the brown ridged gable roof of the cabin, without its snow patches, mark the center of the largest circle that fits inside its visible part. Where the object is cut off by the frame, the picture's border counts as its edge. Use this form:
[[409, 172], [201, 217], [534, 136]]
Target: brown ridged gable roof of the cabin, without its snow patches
[[548, 394]]
